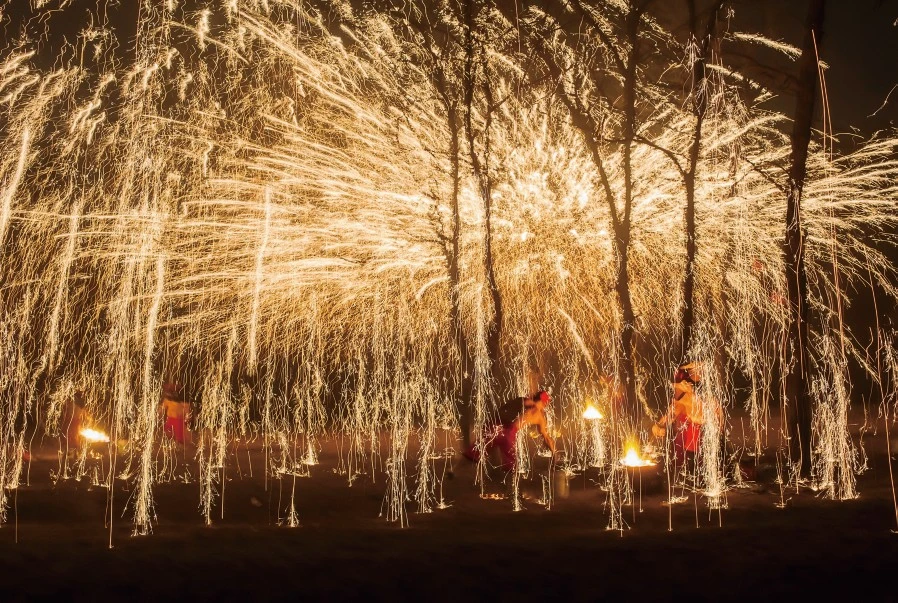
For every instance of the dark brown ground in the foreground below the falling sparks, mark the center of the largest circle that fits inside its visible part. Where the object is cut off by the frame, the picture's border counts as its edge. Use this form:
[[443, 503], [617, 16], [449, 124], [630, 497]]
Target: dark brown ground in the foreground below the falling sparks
[[477, 549]]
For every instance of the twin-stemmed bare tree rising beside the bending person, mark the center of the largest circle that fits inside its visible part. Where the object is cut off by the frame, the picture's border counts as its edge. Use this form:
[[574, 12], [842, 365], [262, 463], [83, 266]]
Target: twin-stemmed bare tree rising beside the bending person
[[449, 46]]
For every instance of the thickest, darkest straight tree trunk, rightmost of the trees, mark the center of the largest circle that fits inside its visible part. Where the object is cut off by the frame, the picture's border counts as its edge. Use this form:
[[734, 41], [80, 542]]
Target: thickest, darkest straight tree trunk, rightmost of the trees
[[798, 401]]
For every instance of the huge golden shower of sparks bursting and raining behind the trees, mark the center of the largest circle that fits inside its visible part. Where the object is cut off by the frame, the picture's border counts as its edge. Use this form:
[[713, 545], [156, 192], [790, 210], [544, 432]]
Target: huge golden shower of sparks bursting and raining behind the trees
[[375, 223]]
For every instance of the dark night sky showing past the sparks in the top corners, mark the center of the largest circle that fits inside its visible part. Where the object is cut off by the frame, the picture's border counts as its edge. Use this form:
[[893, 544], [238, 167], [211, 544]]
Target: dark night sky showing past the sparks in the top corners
[[860, 45]]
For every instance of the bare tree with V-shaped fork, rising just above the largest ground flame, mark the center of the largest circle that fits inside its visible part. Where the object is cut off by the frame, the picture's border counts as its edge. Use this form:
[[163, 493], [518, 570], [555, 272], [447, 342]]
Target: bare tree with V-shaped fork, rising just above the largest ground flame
[[592, 91]]
